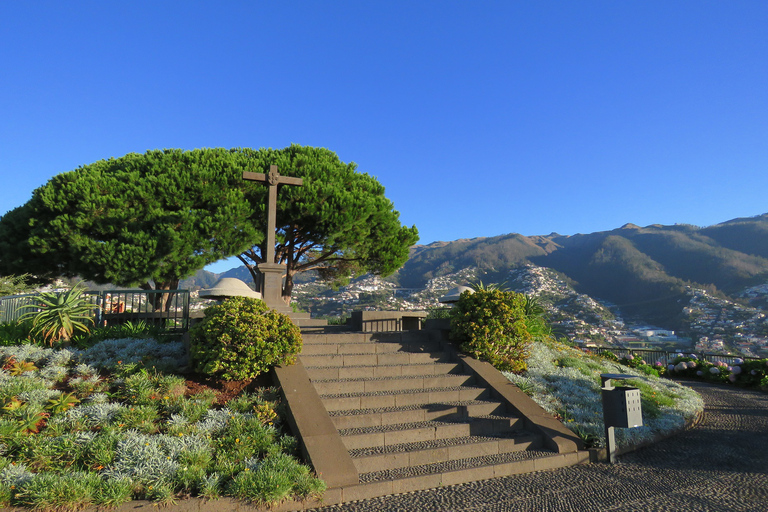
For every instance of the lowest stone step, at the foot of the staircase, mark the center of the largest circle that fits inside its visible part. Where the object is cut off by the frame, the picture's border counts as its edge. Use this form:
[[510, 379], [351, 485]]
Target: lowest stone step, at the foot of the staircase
[[441, 474]]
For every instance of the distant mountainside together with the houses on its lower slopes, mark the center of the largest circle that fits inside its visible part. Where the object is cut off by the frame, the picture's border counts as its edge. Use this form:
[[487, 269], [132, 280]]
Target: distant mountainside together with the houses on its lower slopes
[[708, 282]]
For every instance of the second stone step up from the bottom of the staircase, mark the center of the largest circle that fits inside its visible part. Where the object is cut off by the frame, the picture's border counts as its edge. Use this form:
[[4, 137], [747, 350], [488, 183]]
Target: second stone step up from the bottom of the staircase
[[369, 460]]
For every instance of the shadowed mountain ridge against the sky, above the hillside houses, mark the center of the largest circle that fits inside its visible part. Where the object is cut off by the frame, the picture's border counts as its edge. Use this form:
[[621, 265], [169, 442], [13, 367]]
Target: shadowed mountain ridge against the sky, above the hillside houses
[[645, 271]]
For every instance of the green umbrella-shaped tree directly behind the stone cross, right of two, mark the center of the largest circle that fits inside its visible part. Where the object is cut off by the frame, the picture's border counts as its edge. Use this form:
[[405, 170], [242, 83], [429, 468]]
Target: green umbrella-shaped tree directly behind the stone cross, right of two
[[338, 223]]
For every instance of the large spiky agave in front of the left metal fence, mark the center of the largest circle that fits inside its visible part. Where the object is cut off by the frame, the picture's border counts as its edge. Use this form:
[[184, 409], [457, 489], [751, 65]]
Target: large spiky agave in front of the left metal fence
[[57, 316]]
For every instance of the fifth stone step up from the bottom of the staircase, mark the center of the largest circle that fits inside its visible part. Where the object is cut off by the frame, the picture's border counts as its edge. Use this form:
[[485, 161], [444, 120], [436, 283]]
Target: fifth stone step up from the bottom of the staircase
[[346, 401]]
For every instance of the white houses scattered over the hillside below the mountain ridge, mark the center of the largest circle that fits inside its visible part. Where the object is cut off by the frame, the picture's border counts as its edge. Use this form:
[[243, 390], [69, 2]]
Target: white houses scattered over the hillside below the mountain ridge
[[715, 324]]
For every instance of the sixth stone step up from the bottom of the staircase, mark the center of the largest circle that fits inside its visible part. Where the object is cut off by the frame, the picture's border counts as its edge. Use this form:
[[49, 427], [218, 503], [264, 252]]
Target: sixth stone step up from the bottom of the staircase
[[409, 382]]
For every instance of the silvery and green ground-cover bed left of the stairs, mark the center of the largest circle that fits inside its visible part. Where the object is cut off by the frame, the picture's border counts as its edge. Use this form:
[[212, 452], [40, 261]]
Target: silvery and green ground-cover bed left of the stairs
[[112, 423]]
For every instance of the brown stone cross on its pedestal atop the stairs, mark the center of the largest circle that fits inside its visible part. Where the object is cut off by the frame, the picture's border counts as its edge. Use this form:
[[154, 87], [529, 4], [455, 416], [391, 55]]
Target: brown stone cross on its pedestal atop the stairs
[[272, 273]]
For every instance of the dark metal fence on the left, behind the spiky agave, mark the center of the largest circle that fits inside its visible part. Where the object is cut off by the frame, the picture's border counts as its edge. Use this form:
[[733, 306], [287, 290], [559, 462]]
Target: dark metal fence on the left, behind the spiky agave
[[164, 308]]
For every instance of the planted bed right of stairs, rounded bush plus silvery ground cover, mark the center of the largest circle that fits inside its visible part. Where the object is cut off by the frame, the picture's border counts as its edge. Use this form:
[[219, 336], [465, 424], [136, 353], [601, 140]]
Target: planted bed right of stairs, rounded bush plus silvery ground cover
[[510, 331]]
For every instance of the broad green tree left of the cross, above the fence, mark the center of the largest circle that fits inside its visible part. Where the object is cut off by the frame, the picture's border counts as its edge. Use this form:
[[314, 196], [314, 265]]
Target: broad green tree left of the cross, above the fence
[[142, 219]]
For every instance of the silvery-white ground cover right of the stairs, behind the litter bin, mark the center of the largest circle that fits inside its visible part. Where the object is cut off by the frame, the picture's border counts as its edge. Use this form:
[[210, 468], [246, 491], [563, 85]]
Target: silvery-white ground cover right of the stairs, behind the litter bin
[[566, 383]]
